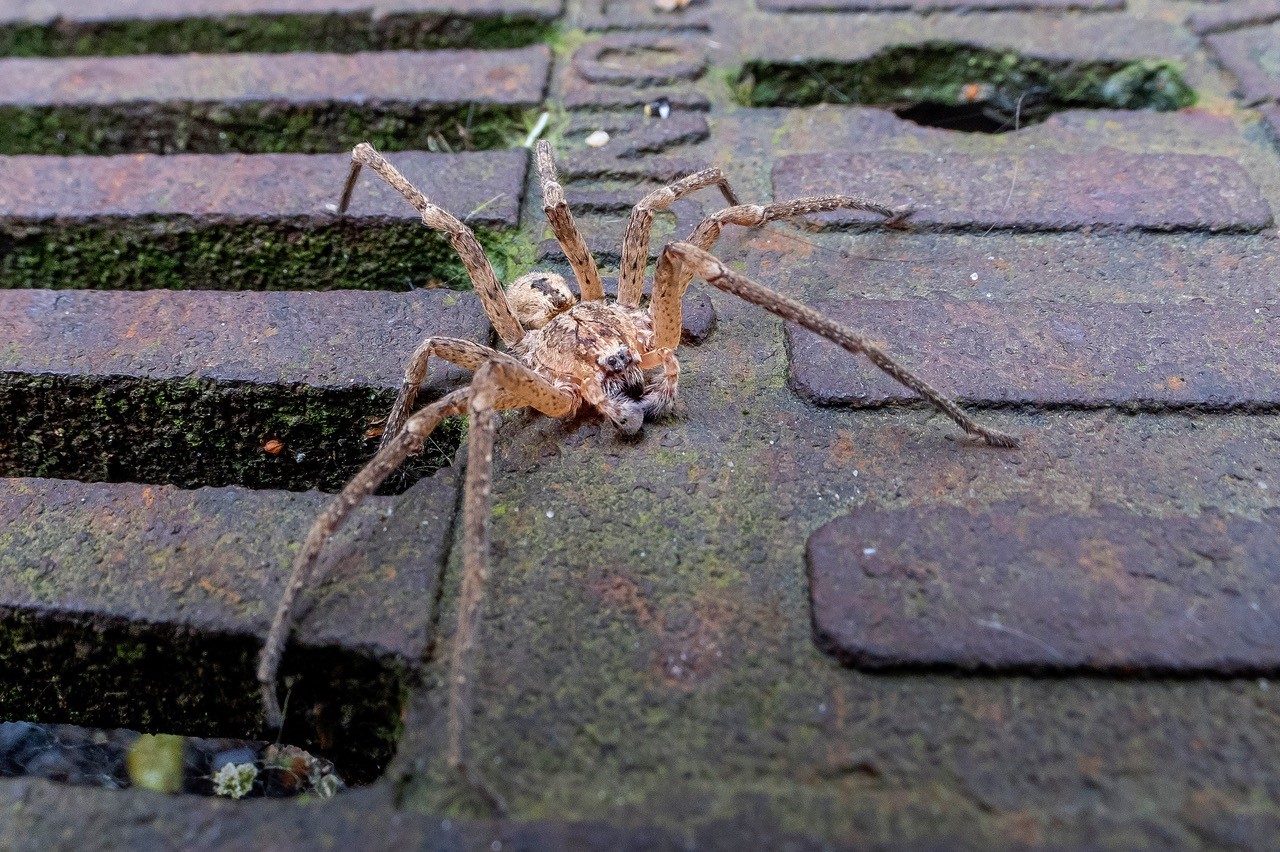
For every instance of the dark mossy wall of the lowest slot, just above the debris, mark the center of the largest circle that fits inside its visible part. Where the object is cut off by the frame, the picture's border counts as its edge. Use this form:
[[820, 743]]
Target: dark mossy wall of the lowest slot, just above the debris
[[111, 675]]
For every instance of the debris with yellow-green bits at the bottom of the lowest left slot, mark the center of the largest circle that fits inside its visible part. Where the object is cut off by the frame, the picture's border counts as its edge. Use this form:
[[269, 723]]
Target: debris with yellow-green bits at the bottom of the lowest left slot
[[120, 759]]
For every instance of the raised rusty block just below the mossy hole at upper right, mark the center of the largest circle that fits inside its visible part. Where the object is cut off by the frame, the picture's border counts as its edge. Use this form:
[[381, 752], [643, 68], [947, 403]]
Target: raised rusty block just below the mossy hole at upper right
[[1055, 191]]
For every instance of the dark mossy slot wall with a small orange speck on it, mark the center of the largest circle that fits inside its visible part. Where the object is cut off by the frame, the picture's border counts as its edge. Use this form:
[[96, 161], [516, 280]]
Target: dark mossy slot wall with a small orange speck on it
[[195, 433]]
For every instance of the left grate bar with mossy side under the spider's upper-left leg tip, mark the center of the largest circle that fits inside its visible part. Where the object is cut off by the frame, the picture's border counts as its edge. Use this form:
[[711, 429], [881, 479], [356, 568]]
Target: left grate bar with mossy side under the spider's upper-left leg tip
[[245, 222]]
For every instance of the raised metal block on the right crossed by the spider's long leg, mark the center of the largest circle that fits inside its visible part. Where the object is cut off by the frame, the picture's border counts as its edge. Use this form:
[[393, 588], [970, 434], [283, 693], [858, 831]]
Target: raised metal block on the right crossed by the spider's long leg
[[1045, 354]]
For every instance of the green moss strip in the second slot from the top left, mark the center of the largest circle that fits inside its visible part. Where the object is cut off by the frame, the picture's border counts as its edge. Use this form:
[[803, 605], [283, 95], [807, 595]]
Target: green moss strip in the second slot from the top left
[[253, 127]]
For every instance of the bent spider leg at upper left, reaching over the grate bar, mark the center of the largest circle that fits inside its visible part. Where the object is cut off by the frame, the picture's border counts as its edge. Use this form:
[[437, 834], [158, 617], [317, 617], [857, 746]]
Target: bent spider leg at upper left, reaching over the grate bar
[[465, 244]]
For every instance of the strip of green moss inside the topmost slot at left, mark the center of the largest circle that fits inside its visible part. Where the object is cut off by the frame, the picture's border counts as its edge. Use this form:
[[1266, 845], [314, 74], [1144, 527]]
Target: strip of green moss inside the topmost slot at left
[[273, 34]]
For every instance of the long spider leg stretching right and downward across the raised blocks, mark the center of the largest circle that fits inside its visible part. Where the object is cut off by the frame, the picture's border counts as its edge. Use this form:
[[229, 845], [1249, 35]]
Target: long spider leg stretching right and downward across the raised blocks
[[680, 259]]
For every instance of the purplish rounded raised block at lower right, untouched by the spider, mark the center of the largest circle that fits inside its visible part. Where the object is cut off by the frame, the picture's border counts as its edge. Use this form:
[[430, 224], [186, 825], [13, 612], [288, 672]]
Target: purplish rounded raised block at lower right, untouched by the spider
[[1014, 587]]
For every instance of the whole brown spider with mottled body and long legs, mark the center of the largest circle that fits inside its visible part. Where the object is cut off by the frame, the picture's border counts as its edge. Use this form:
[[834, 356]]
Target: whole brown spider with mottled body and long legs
[[618, 359]]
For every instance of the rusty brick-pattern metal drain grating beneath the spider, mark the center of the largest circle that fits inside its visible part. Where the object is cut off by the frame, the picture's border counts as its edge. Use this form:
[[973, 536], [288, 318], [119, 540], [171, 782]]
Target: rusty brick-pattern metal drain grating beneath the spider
[[804, 611]]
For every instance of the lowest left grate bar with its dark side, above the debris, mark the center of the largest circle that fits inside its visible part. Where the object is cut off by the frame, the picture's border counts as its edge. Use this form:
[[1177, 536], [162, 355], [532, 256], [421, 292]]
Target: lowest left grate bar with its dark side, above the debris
[[140, 606]]
